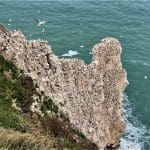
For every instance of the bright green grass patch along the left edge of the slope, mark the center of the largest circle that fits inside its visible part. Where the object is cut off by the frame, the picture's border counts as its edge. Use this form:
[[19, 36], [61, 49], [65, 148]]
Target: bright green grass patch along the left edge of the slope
[[9, 116]]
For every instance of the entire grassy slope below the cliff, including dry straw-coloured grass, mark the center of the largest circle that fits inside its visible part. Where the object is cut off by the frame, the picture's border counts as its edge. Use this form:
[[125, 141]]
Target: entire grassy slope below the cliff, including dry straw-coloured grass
[[30, 130]]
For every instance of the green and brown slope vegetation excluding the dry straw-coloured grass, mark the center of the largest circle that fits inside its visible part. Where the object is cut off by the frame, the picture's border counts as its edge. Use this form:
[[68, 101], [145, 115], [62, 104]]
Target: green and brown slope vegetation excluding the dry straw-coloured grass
[[15, 86]]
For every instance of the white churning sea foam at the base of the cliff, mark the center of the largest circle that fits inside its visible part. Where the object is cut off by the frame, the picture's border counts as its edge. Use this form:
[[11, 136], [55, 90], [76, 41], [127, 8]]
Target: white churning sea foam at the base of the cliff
[[136, 134]]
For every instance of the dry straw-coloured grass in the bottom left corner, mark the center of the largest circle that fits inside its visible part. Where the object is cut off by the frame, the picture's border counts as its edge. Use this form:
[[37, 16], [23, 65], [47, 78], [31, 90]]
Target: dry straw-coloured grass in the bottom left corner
[[12, 140]]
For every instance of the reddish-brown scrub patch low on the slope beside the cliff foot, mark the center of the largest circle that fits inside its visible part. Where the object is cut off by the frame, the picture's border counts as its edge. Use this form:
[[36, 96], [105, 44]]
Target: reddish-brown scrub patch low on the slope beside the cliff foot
[[66, 136]]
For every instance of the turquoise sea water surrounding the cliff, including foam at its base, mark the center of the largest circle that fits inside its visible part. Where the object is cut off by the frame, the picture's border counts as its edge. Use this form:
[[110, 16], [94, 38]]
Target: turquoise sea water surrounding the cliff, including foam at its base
[[79, 24]]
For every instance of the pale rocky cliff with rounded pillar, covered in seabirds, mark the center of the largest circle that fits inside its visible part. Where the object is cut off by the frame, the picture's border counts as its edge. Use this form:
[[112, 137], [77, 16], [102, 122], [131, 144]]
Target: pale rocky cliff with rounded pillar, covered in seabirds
[[90, 96]]
